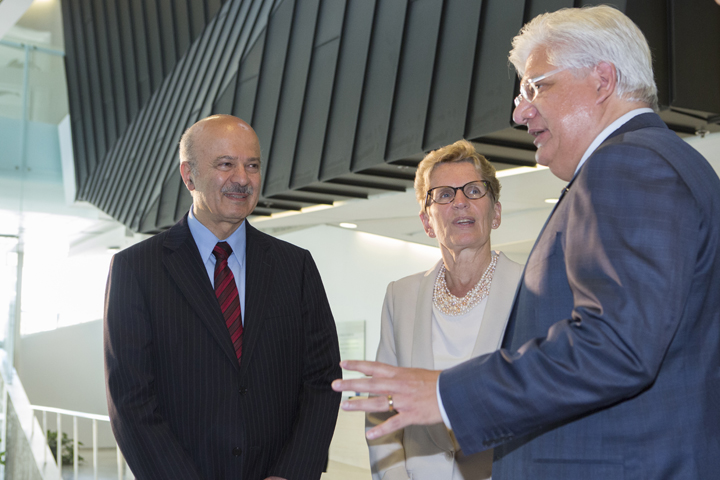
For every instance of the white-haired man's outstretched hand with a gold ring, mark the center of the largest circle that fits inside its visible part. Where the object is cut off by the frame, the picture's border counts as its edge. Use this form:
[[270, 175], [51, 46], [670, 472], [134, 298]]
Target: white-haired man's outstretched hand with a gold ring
[[412, 390]]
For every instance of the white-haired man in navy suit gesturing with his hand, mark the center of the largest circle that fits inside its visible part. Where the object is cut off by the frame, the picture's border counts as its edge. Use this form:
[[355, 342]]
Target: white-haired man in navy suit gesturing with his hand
[[611, 360]]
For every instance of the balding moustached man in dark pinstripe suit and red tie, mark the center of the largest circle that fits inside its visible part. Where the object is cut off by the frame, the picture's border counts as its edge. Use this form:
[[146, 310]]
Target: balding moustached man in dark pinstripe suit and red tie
[[220, 346]]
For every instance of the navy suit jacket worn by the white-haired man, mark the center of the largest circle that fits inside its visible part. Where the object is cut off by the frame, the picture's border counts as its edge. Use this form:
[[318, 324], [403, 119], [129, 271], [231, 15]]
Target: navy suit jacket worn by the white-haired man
[[612, 362]]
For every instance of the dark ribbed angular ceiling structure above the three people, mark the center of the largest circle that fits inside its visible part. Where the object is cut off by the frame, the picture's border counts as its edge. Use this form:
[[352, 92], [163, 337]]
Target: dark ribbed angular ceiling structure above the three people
[[345, 95]]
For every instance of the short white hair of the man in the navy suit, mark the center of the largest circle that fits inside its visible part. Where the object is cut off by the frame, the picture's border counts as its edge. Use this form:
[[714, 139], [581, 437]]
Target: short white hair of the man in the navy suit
[[583, 38]]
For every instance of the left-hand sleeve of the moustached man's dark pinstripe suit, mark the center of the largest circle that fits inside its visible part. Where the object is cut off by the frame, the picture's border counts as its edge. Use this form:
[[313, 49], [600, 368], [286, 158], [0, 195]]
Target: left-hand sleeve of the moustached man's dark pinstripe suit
[[150, 447]]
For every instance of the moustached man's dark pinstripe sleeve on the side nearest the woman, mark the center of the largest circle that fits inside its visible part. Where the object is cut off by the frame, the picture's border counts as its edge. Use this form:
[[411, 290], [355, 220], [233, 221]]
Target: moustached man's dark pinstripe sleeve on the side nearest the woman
[[305, 454]]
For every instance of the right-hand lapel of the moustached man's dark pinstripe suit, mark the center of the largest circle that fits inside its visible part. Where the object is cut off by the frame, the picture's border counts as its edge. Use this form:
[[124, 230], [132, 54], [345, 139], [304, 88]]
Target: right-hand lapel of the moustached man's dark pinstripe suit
[[258, 275]]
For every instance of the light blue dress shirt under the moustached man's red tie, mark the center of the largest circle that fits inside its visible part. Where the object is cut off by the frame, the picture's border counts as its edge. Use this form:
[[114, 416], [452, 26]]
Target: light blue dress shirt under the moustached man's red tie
[[206, 241]]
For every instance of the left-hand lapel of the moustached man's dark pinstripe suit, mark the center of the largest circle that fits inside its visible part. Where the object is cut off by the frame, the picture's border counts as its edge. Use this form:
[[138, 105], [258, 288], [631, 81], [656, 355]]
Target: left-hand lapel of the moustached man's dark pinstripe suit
[[186, 268]]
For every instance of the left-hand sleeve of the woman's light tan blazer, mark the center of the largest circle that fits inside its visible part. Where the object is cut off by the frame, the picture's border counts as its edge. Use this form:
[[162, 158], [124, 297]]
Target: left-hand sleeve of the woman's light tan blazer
[[387, 454]]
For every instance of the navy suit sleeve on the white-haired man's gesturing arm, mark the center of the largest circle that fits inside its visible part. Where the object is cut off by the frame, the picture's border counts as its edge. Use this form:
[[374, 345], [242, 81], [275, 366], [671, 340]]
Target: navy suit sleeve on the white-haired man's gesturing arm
[[627, 253]]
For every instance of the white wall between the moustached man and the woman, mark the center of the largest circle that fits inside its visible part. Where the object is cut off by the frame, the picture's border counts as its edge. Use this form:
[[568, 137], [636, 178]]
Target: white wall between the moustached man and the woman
[[356, 268]]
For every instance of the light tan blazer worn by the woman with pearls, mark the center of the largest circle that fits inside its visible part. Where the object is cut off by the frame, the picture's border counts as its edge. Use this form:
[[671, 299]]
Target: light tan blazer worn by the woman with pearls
[[430, 452]]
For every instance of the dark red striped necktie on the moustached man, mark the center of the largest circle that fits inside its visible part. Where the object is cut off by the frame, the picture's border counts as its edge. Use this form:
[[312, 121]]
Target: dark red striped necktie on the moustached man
[[227, 294]]
